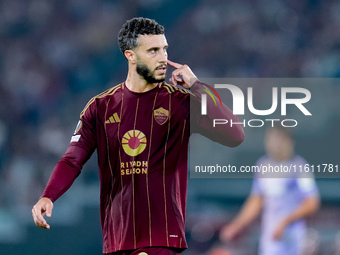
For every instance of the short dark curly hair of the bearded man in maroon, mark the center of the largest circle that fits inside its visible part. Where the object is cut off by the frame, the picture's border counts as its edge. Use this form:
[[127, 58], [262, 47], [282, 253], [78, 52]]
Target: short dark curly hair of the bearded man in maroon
[[128, 34]]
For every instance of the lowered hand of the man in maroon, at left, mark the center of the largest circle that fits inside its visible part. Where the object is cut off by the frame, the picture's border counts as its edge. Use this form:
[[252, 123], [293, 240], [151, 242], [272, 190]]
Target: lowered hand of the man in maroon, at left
[[44, 206]]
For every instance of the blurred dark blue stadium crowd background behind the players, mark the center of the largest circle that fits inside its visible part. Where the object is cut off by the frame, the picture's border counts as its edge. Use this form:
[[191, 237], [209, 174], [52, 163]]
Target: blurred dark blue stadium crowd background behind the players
[[56, 55]]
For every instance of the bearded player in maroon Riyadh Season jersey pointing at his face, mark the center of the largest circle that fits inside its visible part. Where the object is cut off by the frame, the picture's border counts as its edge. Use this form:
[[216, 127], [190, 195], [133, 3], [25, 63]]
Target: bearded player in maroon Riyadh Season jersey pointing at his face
[[141, 131]]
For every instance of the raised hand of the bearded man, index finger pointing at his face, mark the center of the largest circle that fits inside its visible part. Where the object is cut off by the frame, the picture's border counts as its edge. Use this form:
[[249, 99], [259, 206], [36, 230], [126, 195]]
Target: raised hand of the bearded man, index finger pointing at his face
[[182, 75]]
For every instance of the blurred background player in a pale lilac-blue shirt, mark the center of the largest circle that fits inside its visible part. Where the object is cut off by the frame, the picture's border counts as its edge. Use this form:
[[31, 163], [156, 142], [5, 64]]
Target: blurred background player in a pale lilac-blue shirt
[[285, 200]]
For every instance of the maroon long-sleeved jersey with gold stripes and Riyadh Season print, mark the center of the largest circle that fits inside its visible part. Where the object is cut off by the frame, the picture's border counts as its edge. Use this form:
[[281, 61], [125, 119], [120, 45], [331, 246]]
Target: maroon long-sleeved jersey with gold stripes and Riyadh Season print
[[142, 144]]
